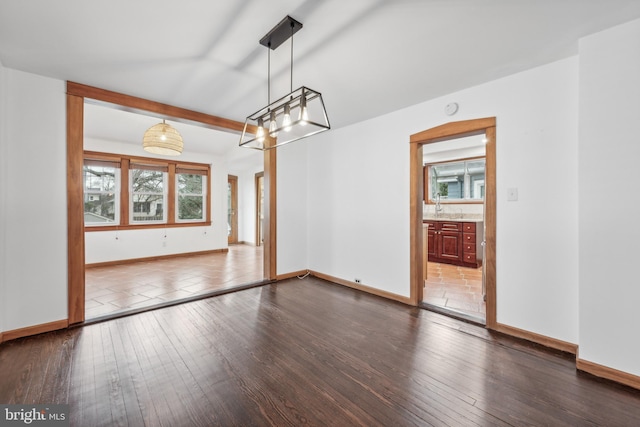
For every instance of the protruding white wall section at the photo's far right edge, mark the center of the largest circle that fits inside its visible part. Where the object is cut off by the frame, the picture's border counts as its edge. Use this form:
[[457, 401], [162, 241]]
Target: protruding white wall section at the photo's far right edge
[[609, 154]]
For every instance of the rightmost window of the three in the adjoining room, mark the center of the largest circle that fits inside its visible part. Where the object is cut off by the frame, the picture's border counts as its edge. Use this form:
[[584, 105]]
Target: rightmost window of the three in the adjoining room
[[191, 195]]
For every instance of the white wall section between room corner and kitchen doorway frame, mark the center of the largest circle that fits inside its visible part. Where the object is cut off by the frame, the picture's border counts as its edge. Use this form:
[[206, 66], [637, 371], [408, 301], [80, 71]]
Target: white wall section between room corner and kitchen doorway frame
[[359, 204]]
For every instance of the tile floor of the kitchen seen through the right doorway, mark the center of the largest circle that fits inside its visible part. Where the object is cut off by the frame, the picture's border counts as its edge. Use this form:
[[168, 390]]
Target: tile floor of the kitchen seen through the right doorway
[[454, 288]]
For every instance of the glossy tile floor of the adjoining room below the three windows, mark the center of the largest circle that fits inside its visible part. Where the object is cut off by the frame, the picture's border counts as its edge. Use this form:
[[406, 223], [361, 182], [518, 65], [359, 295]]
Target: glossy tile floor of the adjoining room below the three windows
[[115, 289]]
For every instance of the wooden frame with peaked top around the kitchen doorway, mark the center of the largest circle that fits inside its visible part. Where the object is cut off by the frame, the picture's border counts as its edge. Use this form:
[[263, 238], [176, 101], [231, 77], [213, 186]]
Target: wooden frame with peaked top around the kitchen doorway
[[442, 133]]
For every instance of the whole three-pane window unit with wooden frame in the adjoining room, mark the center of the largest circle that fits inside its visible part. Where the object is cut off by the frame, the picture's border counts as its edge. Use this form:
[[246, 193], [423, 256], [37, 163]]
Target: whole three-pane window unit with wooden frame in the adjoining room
[[139, 192]]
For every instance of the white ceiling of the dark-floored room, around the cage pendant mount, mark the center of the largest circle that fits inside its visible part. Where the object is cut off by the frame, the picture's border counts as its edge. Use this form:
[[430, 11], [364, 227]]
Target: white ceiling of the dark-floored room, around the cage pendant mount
[[367, 57]]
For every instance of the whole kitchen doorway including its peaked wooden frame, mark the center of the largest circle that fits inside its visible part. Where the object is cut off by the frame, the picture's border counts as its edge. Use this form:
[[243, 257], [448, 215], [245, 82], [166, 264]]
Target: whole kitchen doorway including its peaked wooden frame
[[440, 229]]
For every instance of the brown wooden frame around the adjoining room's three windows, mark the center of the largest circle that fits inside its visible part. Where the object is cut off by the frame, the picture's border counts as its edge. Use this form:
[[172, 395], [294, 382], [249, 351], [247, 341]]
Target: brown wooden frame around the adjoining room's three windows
[[127, 163]]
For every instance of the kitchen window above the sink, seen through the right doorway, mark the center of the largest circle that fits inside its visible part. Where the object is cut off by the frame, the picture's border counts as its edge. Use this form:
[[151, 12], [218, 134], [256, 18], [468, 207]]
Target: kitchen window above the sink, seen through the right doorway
[[459, 181]]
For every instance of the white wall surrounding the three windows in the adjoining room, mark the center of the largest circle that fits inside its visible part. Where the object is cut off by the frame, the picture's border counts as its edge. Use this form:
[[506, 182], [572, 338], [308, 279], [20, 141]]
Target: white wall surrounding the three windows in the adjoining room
[[105, 246]]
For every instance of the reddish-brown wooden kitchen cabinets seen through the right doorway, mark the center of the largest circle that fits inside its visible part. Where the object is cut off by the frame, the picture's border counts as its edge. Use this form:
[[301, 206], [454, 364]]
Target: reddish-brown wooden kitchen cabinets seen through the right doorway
[[453, 242]]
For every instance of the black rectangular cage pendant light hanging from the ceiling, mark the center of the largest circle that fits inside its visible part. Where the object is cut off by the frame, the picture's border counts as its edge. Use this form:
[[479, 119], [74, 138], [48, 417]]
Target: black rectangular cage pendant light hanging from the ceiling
[[299, 114]]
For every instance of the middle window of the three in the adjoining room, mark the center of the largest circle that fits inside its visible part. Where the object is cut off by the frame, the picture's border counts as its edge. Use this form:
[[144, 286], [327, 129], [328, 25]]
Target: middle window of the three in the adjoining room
[[148, 193]]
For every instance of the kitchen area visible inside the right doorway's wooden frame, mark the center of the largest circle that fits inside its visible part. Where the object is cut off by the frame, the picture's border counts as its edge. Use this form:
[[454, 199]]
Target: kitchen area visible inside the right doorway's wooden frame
[[453, 228]]
